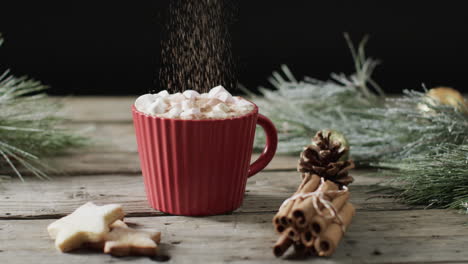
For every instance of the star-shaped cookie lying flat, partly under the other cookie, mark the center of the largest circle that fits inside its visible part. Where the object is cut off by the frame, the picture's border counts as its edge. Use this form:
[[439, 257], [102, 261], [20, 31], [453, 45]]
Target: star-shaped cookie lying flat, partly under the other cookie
[[124, 241]]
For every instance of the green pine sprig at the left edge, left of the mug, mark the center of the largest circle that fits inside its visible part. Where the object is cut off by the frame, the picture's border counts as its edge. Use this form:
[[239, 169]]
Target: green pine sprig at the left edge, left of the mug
[[29, 126]]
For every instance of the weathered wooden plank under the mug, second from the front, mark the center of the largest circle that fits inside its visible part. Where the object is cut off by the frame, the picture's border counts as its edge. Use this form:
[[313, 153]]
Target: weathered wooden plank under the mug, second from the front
[[44, 199]]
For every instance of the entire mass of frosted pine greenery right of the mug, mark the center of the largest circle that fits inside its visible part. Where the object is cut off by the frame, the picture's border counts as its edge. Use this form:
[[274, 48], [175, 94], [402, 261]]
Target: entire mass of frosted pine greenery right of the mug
[[426, 150]]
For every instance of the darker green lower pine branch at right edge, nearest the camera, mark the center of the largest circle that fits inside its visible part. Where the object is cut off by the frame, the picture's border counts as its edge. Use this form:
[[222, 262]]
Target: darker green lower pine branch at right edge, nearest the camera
[[435, 180]]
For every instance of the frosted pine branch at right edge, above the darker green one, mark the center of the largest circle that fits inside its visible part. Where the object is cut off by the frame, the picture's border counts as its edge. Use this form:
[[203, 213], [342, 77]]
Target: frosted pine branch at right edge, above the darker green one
[[408, 130]]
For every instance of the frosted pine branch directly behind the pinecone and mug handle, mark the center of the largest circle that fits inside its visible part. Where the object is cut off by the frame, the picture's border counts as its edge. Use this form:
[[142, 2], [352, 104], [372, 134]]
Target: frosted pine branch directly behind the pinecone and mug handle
[[300, 109]]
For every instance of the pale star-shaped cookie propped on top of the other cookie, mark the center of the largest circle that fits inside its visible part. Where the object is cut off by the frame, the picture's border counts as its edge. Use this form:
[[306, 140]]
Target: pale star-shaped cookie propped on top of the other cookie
[[88, 223]]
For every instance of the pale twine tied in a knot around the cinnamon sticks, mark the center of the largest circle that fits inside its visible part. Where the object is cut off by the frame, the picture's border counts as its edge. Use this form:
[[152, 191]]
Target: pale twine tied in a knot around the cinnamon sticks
[[319, 201]]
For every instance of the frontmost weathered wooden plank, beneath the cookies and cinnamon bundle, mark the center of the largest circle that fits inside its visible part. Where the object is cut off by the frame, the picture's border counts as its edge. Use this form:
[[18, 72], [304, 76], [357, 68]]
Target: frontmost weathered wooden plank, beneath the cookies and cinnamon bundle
[[432, 236]]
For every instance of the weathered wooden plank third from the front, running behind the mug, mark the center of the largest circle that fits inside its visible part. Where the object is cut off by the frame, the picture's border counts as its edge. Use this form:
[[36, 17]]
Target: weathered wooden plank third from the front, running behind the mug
[[113, 150]]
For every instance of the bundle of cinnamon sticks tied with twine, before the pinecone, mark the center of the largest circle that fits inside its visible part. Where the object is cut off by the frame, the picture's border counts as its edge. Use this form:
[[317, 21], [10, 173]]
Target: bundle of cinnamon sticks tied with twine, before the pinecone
[[311, 227]]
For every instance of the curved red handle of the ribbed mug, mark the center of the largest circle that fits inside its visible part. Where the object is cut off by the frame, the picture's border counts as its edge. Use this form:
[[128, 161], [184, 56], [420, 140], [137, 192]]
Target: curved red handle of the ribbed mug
[[270, 147]]
